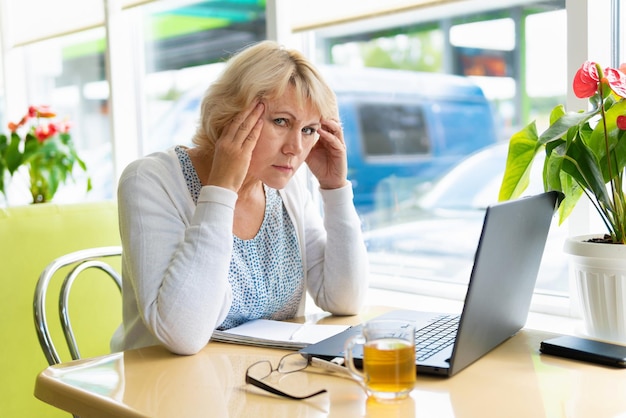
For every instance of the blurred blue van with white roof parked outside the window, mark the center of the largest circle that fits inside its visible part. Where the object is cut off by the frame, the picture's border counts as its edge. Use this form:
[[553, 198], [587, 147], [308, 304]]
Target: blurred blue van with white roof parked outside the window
[[402, 128]]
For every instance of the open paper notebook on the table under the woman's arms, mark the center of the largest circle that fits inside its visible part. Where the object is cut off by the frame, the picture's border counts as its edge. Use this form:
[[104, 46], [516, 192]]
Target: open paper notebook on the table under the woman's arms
[[277, 334]]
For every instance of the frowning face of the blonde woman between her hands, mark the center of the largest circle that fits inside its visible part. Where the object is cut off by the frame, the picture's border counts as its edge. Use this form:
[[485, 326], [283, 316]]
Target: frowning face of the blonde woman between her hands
[[289, 132]]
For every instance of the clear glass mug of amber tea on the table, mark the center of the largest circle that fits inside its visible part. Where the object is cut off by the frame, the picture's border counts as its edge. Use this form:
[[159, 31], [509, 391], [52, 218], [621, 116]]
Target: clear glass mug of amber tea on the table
[[388, 358]]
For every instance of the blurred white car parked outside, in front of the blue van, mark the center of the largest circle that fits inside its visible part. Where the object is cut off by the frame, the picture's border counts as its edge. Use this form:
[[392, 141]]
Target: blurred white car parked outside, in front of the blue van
[[435, 236]]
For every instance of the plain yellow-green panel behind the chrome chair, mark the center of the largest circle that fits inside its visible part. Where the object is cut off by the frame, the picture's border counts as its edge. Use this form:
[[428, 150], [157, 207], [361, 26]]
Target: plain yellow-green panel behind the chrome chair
[[31, 237]]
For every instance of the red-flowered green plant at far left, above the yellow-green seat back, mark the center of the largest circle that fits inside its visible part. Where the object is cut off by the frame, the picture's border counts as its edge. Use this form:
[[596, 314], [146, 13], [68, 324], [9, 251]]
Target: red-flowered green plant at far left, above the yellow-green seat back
[[45, 149]]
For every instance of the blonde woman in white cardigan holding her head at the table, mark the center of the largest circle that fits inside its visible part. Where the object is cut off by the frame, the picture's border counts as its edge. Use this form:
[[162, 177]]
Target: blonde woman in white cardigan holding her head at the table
[[223, 233]]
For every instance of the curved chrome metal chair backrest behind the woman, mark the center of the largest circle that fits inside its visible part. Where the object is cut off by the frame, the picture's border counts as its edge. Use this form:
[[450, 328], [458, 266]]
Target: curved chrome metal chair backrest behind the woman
[[78, 261]]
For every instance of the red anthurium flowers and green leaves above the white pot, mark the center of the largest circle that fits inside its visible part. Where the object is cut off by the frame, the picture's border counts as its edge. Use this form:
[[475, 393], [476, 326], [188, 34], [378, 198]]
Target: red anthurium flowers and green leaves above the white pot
[[585, 151]]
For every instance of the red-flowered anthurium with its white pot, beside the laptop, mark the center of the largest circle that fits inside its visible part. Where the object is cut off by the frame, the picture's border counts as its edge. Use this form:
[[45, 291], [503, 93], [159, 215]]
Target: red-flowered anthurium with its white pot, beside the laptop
[[585, 153]]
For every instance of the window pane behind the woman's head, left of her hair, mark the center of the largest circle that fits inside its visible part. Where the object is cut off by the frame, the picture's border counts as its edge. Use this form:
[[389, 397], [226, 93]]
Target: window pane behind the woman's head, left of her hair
[[183, 48]]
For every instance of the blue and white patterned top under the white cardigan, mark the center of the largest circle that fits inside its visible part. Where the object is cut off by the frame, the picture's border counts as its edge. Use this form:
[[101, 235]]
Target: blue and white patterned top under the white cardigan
[[266, 274]]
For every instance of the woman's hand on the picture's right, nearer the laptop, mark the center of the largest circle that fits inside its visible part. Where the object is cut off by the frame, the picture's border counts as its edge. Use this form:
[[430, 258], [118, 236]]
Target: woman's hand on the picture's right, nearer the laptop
[[327, 159]]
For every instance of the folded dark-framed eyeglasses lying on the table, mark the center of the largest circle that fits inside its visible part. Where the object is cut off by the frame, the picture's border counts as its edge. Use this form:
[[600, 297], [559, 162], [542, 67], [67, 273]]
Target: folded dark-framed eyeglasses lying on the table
[[292, 362]]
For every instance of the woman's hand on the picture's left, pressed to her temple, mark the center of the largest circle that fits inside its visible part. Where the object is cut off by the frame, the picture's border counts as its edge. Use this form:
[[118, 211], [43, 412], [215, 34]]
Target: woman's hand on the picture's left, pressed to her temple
[[233, 150]]
